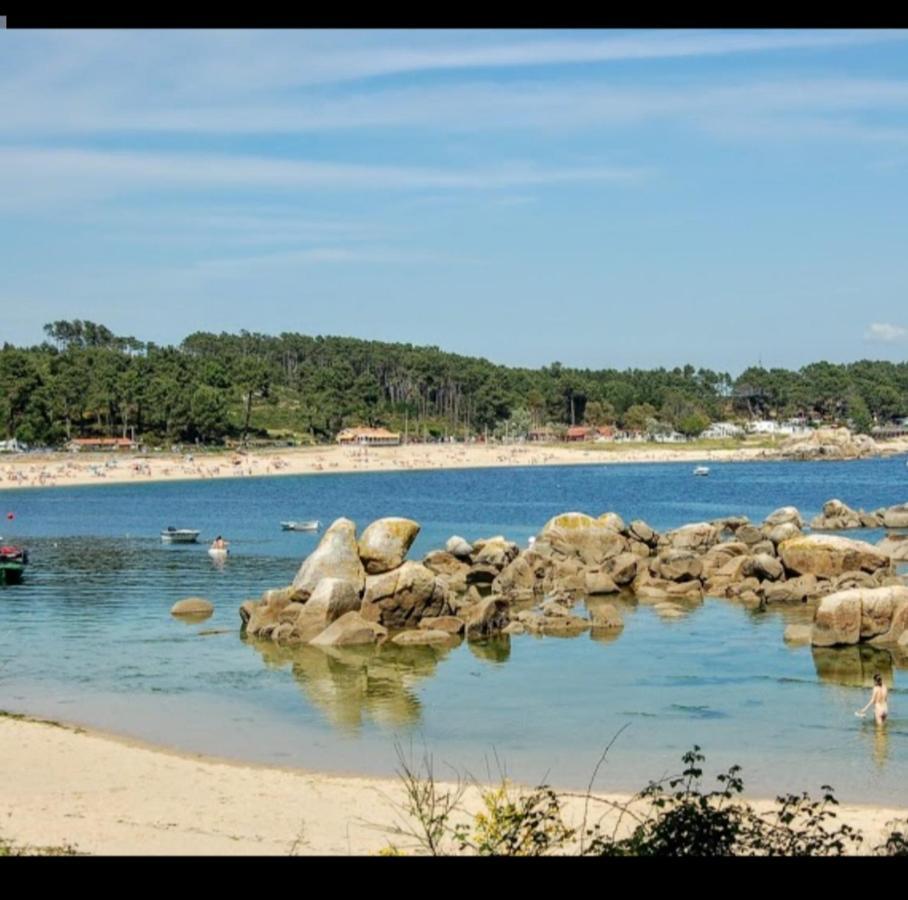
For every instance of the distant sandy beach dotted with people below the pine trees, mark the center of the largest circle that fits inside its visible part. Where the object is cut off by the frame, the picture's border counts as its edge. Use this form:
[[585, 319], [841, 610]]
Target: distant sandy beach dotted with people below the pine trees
[[61, 469]]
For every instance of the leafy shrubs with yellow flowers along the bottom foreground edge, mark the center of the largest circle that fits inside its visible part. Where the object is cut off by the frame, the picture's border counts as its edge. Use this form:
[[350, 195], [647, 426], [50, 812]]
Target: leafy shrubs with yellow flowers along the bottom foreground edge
[[673, 817]]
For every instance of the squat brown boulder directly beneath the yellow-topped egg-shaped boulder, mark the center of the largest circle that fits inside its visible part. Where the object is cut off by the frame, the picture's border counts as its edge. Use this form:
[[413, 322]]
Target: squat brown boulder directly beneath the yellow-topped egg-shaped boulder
[[400, 598]]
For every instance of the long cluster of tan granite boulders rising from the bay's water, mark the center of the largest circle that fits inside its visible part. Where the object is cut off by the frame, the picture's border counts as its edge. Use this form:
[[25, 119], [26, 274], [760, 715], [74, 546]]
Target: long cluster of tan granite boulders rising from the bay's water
[[363, 591]]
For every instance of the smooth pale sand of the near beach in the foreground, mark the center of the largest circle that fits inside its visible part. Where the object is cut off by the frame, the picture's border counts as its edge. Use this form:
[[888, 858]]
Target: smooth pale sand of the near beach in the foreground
[[102, 793]]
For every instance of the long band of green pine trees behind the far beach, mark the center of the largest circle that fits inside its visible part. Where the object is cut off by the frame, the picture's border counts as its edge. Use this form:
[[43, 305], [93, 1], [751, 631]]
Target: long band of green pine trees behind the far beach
[[83, 380]]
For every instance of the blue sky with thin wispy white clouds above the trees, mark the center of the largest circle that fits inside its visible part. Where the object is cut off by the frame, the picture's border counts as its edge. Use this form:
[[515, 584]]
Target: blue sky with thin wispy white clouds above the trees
[[600, 198]]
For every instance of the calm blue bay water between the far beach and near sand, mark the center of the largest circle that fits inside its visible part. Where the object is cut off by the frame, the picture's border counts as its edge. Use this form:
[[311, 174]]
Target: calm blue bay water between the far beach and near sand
[[88, 637]]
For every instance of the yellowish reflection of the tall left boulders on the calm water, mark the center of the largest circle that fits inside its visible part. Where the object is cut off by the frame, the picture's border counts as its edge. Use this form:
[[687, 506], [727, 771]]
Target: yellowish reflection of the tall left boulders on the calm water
[[351, 684]]
